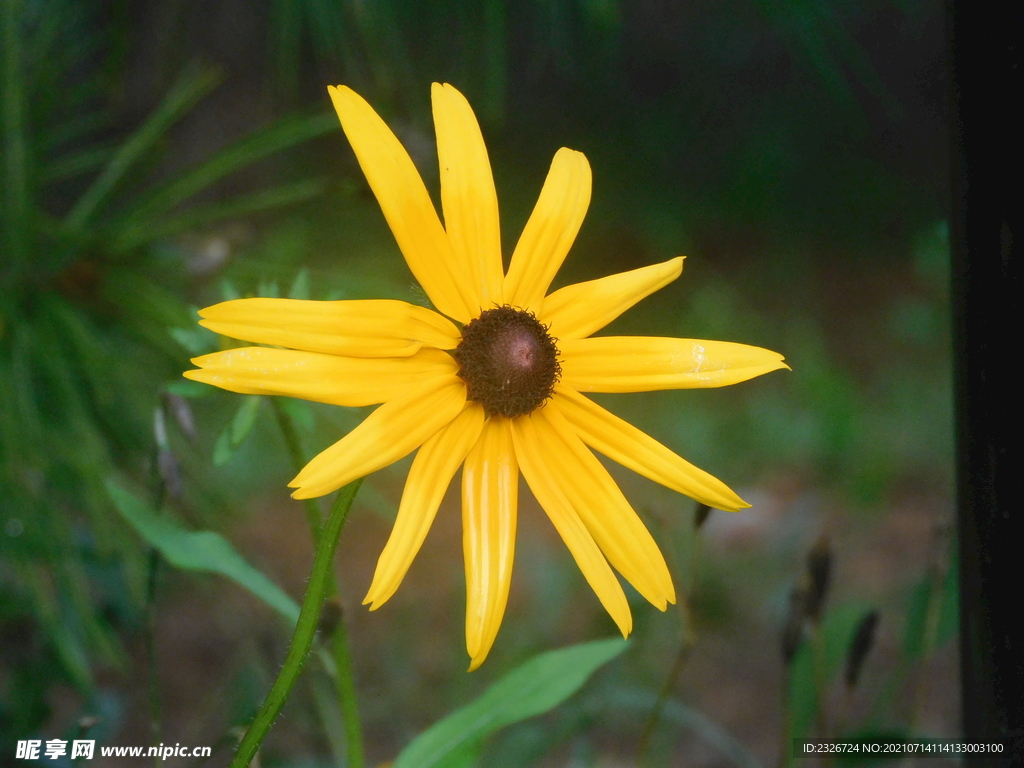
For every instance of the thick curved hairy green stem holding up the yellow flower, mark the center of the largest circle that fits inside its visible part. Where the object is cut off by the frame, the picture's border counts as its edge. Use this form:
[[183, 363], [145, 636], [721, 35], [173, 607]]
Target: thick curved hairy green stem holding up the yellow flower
[[306, 630]]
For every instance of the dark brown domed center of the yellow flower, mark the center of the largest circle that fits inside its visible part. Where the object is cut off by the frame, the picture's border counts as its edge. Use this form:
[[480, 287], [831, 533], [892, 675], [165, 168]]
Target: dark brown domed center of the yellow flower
[[508, 361]]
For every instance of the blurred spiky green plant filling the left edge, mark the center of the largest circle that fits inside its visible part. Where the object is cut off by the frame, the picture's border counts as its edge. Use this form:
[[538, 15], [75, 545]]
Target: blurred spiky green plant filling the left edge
[[87, 301]]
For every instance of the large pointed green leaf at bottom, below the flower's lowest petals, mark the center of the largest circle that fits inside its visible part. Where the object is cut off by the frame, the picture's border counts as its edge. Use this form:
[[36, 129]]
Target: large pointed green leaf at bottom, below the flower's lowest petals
[[537, 687]]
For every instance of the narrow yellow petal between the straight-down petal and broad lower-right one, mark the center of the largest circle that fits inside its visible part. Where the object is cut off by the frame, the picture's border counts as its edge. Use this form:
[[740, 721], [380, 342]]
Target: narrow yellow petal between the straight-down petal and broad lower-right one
[[533, 456]]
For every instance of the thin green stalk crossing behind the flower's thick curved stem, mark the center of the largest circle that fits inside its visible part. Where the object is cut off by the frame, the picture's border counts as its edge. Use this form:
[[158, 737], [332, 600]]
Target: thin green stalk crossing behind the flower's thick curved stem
[[344, 679]]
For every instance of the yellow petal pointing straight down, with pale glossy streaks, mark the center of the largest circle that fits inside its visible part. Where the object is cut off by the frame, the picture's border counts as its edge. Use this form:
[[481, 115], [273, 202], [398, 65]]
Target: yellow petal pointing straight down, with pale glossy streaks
[[490, 497]]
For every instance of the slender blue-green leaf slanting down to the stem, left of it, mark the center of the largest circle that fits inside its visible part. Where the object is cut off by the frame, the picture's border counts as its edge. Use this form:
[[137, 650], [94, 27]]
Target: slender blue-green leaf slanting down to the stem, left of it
[[201, 550]]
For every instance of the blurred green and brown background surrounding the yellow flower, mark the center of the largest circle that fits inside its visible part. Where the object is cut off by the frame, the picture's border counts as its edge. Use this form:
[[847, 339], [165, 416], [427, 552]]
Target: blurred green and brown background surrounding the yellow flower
[[162, 156]]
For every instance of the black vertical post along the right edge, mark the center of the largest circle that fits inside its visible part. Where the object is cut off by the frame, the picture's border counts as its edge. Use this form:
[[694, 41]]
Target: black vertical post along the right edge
[[988, 235]]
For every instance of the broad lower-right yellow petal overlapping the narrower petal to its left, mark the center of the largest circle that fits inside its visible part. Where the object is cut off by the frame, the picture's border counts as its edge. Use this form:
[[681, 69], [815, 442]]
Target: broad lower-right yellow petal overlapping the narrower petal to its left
[[617, 529]]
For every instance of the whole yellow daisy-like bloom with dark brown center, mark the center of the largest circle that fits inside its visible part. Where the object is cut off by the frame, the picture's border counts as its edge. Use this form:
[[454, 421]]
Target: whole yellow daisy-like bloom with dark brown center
[[492, 381]]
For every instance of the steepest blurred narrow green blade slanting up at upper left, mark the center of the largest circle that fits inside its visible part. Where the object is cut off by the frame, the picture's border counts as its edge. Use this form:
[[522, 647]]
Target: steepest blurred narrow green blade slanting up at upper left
[[191, 88]]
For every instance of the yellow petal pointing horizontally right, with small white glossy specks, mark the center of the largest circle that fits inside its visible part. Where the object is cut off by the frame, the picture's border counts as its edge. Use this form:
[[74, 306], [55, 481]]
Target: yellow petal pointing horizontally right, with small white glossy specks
[[643, 364]]
